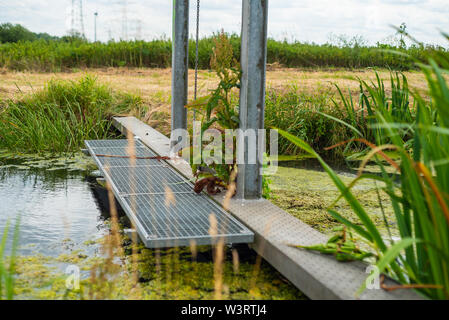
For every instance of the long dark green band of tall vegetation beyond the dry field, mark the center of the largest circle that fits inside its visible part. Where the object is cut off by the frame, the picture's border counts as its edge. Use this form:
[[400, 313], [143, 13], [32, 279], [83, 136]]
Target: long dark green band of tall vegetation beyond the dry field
[[60, 55]]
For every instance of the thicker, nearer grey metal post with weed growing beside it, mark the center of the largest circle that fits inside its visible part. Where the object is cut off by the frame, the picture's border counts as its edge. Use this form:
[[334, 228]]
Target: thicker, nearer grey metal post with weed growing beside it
[[252, 93]]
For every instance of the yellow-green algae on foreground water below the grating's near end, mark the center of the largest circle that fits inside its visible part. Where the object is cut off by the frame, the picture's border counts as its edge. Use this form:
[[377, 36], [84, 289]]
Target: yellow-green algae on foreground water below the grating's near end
[[178, 275]]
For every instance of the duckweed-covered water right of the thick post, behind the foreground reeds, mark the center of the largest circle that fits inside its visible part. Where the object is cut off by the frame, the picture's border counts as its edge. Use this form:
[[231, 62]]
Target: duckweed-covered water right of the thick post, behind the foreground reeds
[[306, 194]]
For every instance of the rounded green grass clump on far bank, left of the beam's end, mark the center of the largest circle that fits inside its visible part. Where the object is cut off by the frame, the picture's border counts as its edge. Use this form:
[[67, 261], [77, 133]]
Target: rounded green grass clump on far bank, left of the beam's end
[[61, 116]]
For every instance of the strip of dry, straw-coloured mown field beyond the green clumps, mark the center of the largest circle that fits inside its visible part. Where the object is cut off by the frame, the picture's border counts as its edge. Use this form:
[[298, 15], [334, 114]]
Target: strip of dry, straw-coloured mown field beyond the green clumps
[[154, 85]]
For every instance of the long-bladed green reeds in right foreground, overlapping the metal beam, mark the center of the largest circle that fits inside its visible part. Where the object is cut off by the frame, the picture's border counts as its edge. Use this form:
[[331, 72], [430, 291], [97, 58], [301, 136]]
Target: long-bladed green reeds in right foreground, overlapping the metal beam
[[420, 259]]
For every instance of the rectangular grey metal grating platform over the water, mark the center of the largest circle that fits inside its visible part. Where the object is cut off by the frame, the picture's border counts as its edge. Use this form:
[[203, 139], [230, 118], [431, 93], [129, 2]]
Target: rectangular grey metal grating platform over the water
[[161, 202]]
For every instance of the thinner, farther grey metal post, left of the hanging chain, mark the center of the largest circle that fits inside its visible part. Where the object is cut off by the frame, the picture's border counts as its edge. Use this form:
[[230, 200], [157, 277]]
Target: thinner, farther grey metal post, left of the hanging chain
[[180, 64]]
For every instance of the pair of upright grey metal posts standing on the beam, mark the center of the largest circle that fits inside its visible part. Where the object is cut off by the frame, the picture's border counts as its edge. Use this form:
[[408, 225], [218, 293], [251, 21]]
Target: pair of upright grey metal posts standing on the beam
[[252, 92]]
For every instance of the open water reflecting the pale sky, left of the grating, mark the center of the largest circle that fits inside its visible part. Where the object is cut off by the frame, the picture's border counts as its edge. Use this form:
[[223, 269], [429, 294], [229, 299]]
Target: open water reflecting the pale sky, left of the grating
[[54, 207]]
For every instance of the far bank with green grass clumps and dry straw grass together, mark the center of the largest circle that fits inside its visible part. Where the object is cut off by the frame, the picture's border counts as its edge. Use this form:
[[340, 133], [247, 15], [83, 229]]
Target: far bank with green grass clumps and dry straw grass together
[[59, 115]]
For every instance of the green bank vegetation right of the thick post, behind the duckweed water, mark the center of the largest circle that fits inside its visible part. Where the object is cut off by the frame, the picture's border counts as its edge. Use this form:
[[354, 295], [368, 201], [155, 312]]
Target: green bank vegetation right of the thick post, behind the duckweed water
[[333, 125]]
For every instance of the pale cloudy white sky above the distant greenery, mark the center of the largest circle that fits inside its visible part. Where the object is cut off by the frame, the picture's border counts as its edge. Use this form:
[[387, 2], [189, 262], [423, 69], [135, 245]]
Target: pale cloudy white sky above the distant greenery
[[316, 21]]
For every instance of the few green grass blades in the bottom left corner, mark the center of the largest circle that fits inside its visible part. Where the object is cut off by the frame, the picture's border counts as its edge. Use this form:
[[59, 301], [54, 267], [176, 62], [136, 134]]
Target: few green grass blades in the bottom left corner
[[7, 269]]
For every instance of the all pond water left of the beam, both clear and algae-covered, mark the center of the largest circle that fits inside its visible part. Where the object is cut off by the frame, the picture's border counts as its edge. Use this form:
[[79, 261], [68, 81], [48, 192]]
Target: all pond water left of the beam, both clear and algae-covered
[[64, 219]]
